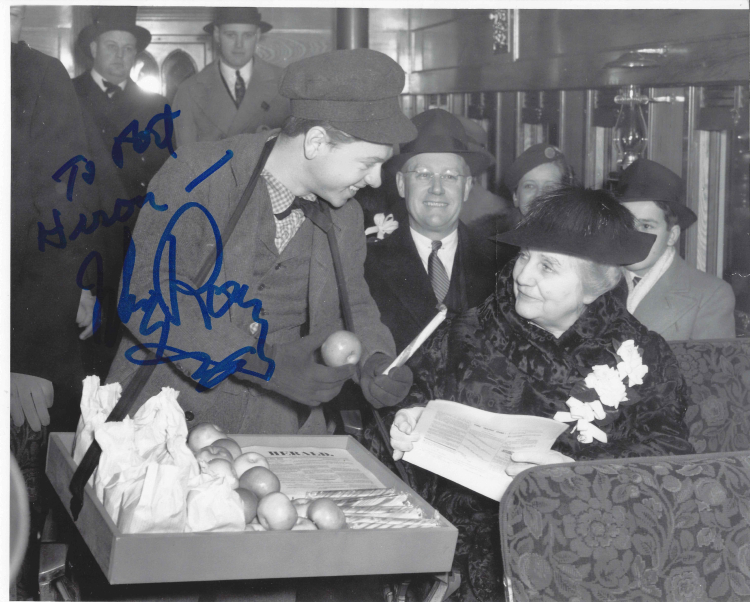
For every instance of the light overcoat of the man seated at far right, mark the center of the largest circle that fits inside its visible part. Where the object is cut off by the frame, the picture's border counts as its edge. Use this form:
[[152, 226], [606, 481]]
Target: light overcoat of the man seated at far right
[[686, 303]]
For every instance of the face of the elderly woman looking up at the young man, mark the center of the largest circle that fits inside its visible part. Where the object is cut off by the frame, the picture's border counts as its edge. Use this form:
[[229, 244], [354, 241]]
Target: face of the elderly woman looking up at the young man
[[549, 290]]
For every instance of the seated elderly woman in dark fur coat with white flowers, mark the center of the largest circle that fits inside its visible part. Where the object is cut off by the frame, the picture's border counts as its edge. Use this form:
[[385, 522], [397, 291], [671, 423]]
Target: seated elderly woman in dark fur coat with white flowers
[[552, 330]]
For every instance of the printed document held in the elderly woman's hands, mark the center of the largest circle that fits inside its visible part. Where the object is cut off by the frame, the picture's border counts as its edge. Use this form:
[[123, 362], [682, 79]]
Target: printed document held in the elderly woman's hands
[[473, 447]]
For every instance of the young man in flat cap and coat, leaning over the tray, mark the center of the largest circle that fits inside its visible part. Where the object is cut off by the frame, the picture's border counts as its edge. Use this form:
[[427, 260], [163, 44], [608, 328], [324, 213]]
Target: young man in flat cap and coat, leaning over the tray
[[345, 120]]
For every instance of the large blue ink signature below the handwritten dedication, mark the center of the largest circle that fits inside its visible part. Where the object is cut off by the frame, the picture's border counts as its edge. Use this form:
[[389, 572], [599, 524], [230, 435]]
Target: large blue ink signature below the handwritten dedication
[[211, 372]]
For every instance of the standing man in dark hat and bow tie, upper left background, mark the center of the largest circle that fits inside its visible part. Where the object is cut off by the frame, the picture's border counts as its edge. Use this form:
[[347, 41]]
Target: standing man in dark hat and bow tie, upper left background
[[110, 102]]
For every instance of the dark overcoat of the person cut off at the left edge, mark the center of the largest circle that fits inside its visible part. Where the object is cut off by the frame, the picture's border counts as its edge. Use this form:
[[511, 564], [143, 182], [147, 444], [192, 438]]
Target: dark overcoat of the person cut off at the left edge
[[46, 132]]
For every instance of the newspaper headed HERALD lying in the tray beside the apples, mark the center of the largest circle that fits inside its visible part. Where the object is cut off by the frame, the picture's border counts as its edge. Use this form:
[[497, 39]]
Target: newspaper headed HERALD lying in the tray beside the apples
[[304, 469]]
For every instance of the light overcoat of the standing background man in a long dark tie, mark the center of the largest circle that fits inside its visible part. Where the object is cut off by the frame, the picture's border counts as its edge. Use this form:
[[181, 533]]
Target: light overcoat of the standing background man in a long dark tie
[[208, 112]]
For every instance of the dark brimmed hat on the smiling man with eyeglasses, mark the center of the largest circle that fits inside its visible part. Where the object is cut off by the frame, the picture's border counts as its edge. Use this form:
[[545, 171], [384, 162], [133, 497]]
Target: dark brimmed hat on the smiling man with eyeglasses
[[441, 132]]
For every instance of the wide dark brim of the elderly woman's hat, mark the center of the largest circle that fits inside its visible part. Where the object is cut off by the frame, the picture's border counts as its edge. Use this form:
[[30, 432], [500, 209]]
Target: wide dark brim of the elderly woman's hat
[[601, 249]]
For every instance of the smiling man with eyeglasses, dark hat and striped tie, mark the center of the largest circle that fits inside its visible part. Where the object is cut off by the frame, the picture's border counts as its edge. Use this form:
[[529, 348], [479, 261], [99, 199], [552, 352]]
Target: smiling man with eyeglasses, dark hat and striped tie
[[430, 258]]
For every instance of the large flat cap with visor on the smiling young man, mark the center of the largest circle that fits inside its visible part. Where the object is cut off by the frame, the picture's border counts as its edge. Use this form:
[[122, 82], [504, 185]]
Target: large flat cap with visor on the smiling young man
[[356, 91]]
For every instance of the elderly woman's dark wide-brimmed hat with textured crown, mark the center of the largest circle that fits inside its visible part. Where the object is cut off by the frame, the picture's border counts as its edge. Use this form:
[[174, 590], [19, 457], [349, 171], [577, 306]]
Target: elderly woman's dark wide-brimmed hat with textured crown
[[583, 223]]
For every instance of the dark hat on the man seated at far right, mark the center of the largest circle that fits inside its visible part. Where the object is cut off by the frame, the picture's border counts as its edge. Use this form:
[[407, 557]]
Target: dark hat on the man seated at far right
[[646, 180]]
